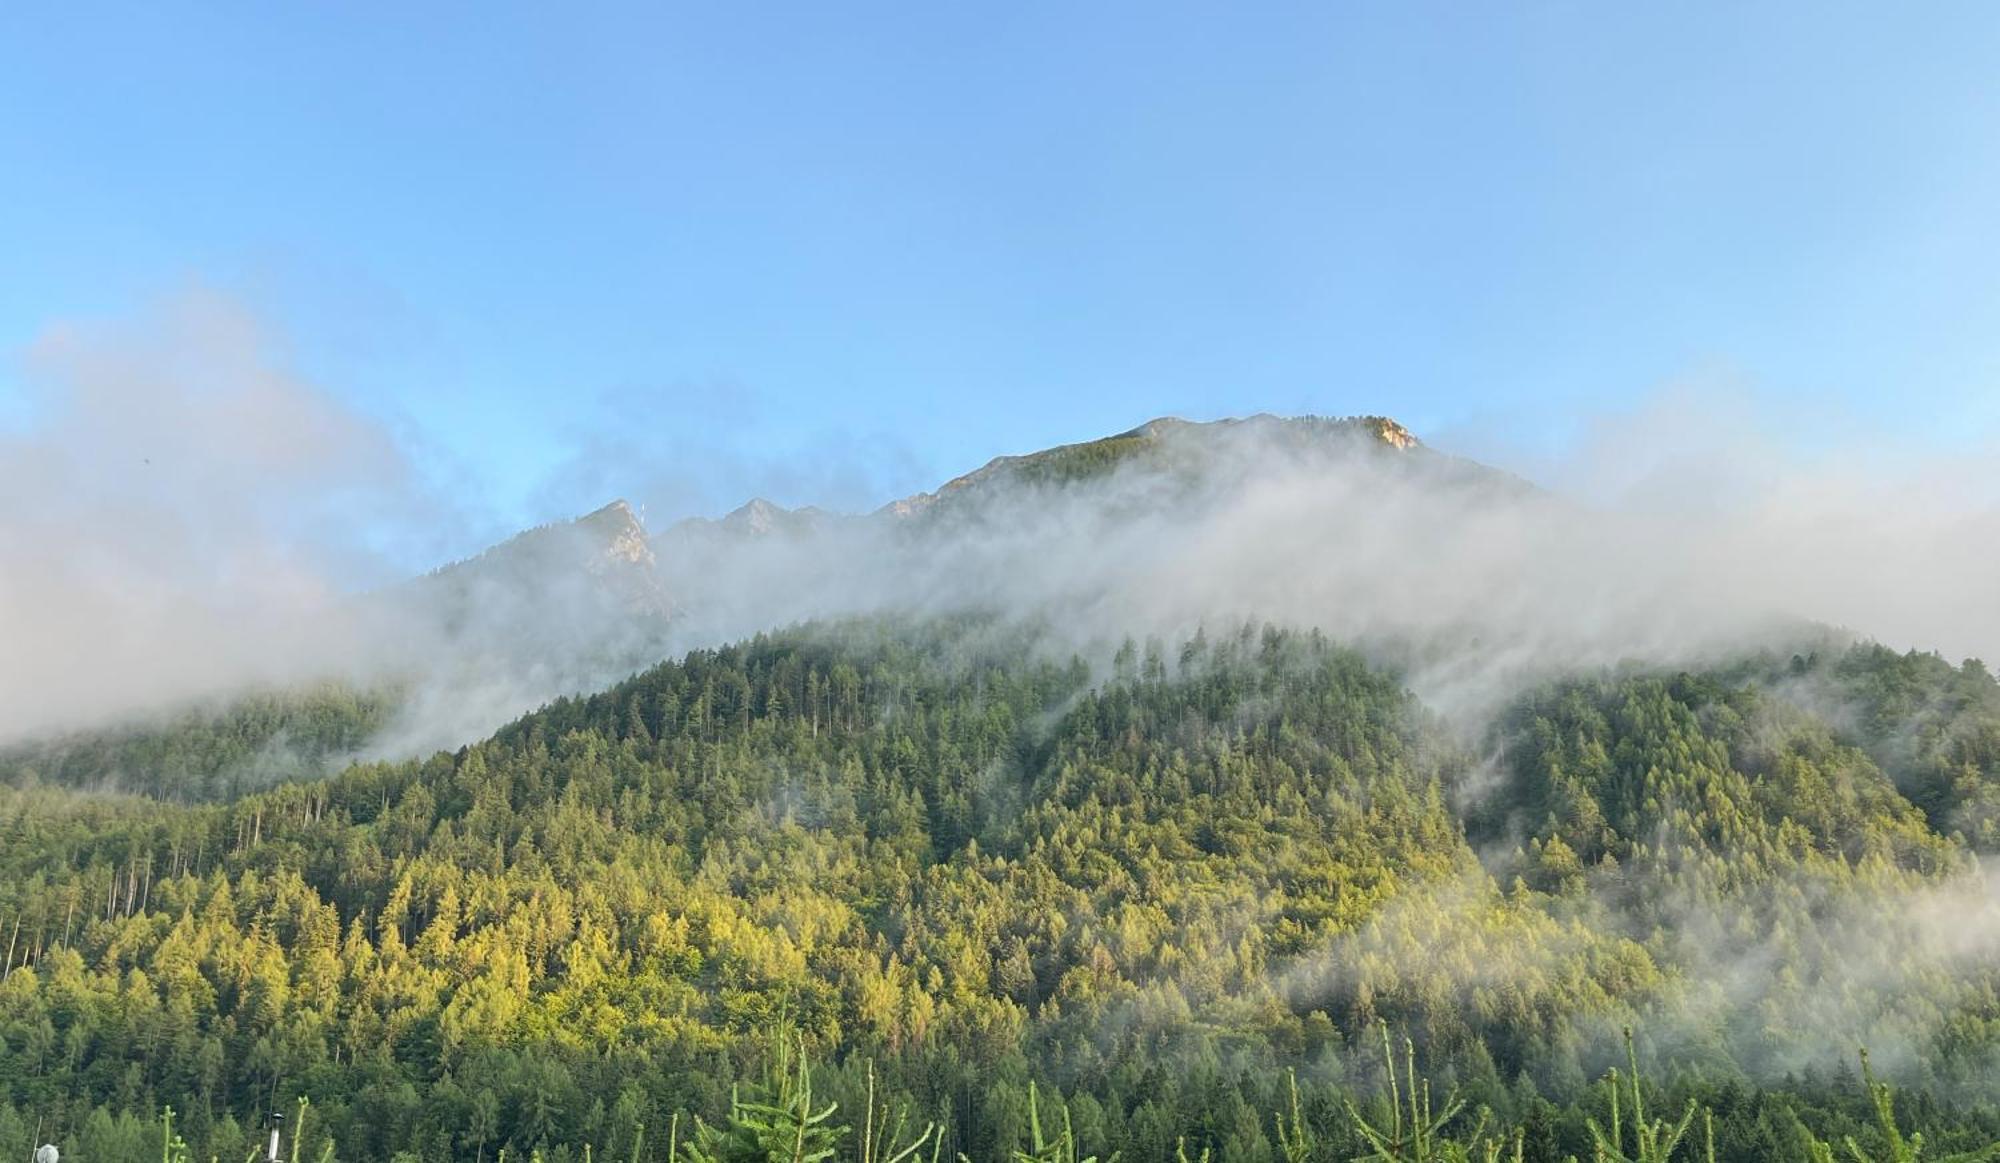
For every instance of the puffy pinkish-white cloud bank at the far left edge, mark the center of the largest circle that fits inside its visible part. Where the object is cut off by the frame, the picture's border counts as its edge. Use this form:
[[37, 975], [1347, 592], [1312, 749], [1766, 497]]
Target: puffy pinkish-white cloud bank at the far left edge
[[181, 519]]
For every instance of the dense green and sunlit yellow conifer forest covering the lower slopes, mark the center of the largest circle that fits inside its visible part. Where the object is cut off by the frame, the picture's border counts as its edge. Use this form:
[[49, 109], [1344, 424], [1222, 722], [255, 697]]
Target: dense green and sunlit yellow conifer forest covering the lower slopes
[[941, 888]]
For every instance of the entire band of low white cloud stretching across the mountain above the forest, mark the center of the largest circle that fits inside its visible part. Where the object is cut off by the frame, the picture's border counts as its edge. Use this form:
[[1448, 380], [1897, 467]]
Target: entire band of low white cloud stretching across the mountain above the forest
[[187, 517]]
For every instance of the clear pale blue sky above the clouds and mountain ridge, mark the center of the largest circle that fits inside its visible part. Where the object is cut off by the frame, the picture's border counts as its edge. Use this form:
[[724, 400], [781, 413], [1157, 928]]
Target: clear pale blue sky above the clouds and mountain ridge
[[837, 253]]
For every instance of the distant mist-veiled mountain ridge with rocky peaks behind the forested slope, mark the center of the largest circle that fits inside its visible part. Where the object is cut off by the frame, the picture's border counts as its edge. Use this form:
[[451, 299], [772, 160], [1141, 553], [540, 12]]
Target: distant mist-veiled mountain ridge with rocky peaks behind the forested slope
[[1351, 525]]
